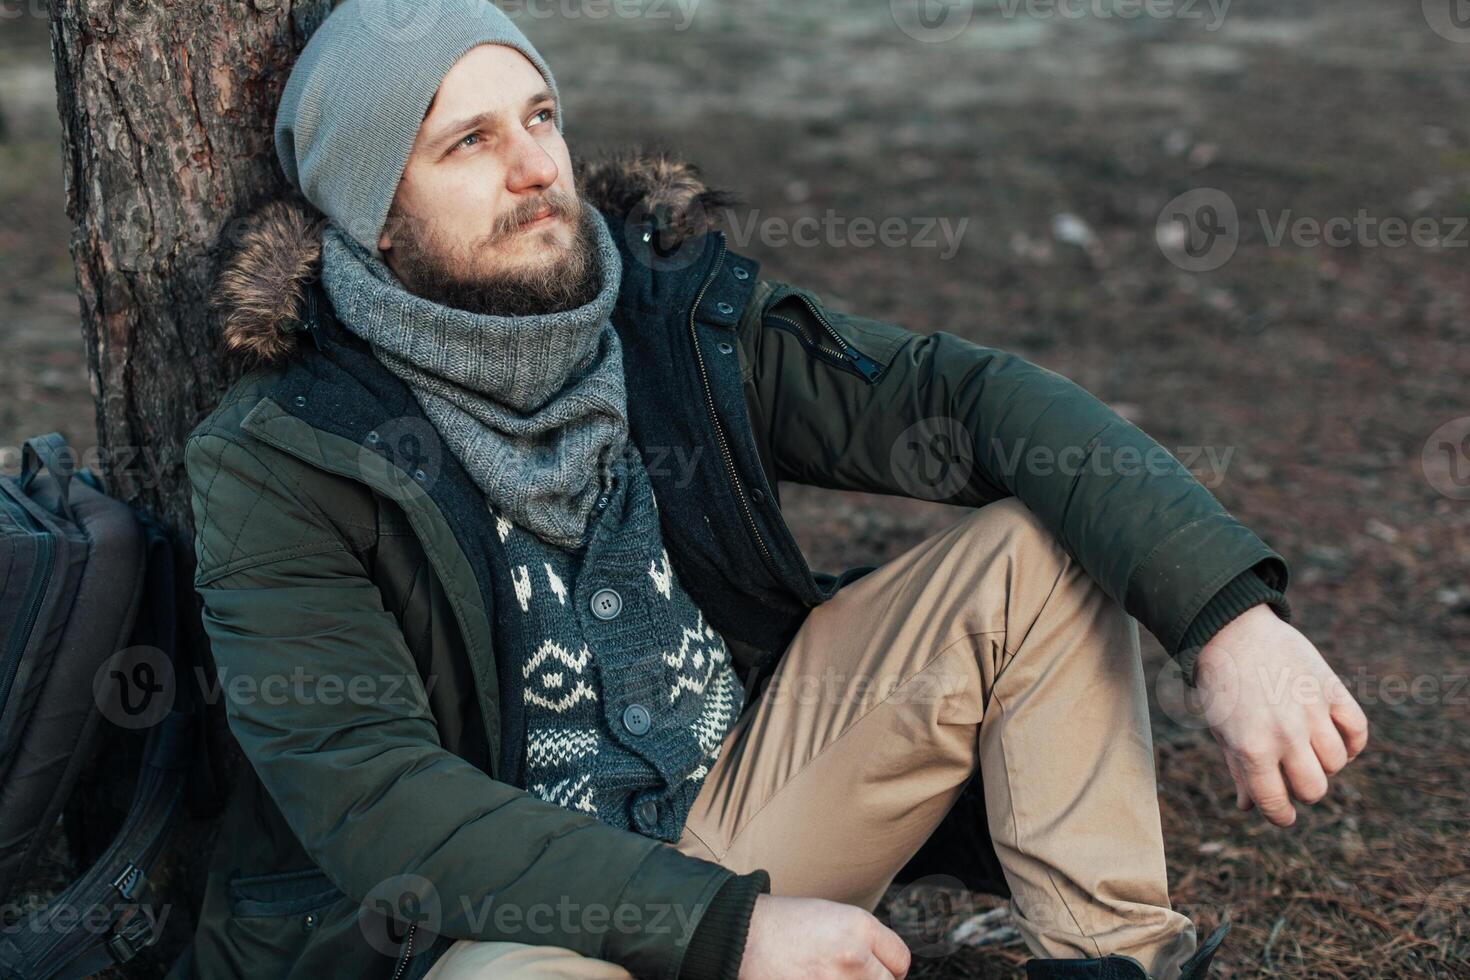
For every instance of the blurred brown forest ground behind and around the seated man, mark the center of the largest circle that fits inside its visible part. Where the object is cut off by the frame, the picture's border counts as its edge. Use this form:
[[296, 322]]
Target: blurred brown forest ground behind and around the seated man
[[1319, 389]]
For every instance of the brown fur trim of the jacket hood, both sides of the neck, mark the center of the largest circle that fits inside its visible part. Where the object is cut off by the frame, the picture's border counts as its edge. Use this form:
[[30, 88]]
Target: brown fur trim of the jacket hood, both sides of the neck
[[261, 290]]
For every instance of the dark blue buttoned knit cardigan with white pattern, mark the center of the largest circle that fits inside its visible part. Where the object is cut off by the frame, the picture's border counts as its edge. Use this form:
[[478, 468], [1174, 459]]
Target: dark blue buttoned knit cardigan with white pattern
[[625, 691]]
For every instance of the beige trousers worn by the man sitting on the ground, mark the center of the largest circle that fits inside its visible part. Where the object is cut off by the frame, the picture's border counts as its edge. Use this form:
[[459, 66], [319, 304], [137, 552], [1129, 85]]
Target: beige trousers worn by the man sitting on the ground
[[983, 647]]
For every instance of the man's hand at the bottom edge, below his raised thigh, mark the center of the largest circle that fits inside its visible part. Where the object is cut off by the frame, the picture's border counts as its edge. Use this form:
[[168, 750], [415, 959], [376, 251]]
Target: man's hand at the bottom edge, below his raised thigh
[[811, 938]]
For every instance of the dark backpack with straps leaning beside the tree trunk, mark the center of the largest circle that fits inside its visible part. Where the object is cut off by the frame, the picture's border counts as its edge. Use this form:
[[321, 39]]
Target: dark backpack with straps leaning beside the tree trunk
[[87, 649]]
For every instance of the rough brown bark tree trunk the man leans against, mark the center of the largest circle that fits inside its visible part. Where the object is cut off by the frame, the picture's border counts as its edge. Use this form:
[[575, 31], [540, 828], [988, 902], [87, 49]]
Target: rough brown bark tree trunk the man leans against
[[167, 117]]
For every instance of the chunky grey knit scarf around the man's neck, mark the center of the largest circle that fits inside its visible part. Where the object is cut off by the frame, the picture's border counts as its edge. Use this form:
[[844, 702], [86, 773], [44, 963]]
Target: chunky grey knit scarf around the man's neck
[[534, 408]]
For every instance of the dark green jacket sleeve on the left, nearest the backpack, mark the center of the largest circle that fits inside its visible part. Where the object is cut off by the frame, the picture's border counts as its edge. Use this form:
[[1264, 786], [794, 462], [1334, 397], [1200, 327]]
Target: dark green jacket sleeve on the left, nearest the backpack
[[295, 624]]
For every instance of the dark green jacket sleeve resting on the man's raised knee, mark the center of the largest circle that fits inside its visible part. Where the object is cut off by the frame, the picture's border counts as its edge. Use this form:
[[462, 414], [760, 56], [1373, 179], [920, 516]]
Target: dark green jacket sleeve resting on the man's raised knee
[[855, 403]]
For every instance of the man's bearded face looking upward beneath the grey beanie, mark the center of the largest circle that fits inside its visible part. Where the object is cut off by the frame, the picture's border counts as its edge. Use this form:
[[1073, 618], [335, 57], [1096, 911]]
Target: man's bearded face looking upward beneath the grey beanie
[[487, 217]]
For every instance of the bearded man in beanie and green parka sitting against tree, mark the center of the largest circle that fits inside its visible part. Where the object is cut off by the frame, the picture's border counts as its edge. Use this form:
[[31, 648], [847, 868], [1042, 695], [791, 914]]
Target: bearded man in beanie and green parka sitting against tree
[[499, 491]]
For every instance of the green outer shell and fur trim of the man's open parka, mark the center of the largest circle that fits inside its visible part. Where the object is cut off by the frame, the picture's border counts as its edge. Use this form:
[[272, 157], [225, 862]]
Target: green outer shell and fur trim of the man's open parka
[[355, 656]]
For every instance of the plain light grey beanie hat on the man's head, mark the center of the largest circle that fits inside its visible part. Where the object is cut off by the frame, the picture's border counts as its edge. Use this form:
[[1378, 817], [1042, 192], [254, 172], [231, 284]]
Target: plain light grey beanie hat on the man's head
[[359, 92]]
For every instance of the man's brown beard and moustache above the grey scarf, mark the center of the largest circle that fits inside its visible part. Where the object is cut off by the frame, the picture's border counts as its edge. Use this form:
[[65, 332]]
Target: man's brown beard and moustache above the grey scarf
[[445, 273]]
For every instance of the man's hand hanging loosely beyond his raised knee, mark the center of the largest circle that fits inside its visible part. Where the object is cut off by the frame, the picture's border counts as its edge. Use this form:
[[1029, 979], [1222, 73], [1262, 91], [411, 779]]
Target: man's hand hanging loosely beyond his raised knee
[[1277, 709]]
